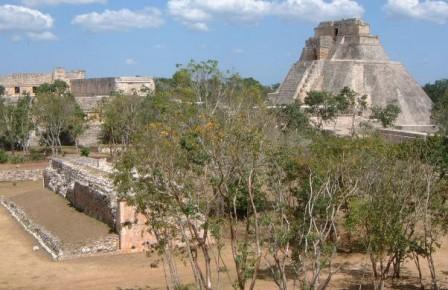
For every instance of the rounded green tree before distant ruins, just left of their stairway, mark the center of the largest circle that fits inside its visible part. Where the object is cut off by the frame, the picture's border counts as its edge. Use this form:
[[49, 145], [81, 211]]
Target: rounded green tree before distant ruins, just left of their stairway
[[55, 111]]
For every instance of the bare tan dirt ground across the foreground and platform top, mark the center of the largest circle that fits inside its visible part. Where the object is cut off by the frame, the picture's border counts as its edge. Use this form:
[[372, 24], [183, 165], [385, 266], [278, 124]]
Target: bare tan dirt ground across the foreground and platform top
[[22, 268]]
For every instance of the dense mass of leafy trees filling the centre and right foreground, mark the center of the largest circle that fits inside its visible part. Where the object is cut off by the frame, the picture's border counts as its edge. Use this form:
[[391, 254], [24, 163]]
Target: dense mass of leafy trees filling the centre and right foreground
[[212, 162]]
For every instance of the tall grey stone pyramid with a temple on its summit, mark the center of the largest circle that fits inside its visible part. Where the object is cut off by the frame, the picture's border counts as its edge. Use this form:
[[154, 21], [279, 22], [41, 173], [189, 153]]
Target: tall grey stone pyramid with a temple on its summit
[[345, 54]]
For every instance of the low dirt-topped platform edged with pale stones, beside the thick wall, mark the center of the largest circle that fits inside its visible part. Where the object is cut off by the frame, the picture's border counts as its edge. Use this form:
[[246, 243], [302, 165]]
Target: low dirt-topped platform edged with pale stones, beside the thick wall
[[60, 229]]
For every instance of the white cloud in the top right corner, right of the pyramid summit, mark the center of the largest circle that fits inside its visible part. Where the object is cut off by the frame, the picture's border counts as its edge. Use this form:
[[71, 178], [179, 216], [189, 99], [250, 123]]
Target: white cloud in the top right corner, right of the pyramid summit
[[430, 10]]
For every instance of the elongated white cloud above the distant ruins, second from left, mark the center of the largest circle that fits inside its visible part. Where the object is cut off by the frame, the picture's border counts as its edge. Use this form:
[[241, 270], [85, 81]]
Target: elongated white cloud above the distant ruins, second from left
[[120, 20]]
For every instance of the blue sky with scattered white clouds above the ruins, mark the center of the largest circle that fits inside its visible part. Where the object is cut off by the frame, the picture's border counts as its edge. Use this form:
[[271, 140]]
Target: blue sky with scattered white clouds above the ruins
[[258, 38]]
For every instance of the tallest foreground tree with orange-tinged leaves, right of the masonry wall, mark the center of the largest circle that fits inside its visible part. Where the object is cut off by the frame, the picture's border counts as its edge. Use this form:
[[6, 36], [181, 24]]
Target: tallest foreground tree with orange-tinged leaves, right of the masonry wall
[[200, 163]]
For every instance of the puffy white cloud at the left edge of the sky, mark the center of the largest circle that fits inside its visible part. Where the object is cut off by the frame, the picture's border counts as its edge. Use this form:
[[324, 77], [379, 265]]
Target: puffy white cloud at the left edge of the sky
[[20, 20]]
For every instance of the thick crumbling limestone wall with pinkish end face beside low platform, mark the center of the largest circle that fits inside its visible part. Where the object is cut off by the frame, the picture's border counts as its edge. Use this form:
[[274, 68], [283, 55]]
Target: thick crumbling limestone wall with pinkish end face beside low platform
[[86, 183]]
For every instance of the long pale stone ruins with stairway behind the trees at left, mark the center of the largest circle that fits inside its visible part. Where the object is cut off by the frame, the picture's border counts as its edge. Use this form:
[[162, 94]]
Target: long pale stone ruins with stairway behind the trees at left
[[89, 93]]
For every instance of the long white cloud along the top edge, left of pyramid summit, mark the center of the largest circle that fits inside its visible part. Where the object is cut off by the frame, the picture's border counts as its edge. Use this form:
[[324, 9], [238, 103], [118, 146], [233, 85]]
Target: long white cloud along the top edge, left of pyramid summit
[[197, 14]]
